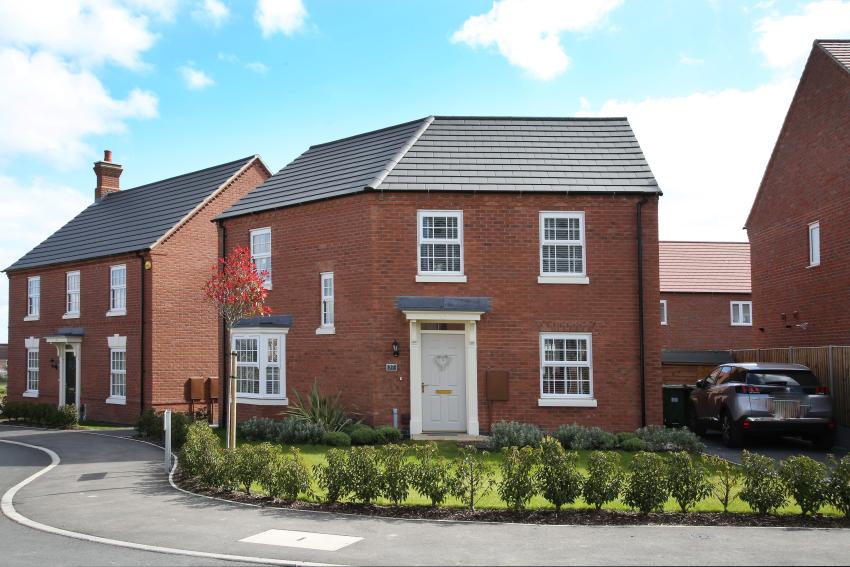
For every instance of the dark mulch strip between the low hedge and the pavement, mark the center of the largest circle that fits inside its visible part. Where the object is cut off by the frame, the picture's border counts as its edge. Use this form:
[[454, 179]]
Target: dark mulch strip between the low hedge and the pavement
[[567, 517]]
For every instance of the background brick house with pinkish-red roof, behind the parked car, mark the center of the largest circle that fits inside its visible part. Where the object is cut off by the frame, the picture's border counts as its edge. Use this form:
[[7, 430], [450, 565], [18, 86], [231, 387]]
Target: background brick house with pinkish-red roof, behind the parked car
[[706, 306]]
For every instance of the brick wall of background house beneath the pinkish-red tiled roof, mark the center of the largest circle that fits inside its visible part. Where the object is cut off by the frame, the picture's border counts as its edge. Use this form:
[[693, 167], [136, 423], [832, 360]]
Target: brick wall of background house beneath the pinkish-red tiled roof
[[702, 321]]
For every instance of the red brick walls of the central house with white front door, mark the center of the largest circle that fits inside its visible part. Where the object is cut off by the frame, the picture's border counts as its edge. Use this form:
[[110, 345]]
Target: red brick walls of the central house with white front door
[[369, 241]]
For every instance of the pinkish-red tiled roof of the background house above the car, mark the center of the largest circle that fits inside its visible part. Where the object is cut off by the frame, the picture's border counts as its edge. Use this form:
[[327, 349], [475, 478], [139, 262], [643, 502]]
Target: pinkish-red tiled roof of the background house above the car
[[705, 267]]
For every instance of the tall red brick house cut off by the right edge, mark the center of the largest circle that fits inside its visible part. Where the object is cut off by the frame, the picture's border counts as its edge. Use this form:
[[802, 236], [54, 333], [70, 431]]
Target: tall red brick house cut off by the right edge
[[799, 224]]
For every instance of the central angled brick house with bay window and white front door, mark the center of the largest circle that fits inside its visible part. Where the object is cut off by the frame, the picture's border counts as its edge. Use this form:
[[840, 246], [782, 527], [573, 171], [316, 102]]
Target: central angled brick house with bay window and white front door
[[460, 271]]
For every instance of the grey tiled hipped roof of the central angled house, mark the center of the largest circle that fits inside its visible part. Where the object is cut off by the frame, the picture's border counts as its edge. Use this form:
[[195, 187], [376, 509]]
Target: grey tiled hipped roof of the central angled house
[[445, 153]]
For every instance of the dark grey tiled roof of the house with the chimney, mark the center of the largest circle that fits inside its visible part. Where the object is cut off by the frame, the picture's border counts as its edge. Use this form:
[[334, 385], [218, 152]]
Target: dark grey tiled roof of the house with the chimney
[[130, 220]]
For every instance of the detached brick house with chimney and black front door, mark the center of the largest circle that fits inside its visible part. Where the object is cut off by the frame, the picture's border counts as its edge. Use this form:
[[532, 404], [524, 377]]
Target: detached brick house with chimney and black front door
[[108, 312]]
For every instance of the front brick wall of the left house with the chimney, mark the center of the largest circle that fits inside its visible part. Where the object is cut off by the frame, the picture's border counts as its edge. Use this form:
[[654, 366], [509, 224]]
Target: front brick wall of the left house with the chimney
[[95, 356]]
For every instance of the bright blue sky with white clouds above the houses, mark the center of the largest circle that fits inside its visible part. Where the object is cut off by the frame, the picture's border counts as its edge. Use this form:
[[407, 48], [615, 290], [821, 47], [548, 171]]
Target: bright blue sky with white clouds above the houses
[[176, 85]]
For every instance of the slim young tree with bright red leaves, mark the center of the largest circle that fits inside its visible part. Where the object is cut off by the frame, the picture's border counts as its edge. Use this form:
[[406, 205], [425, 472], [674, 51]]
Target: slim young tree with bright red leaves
[[237, 290]]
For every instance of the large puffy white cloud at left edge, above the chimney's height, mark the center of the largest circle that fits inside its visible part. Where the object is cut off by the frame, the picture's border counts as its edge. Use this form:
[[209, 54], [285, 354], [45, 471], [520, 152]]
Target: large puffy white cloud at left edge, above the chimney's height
[[51, 107]]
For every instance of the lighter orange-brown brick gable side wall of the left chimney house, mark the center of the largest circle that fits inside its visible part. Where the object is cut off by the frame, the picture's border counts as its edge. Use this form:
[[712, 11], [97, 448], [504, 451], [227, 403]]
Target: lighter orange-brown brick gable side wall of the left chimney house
[[185, 326]]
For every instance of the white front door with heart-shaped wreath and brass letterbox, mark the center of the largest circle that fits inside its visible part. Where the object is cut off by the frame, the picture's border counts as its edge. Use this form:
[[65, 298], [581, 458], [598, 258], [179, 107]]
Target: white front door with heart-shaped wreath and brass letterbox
[[443, 382]]
